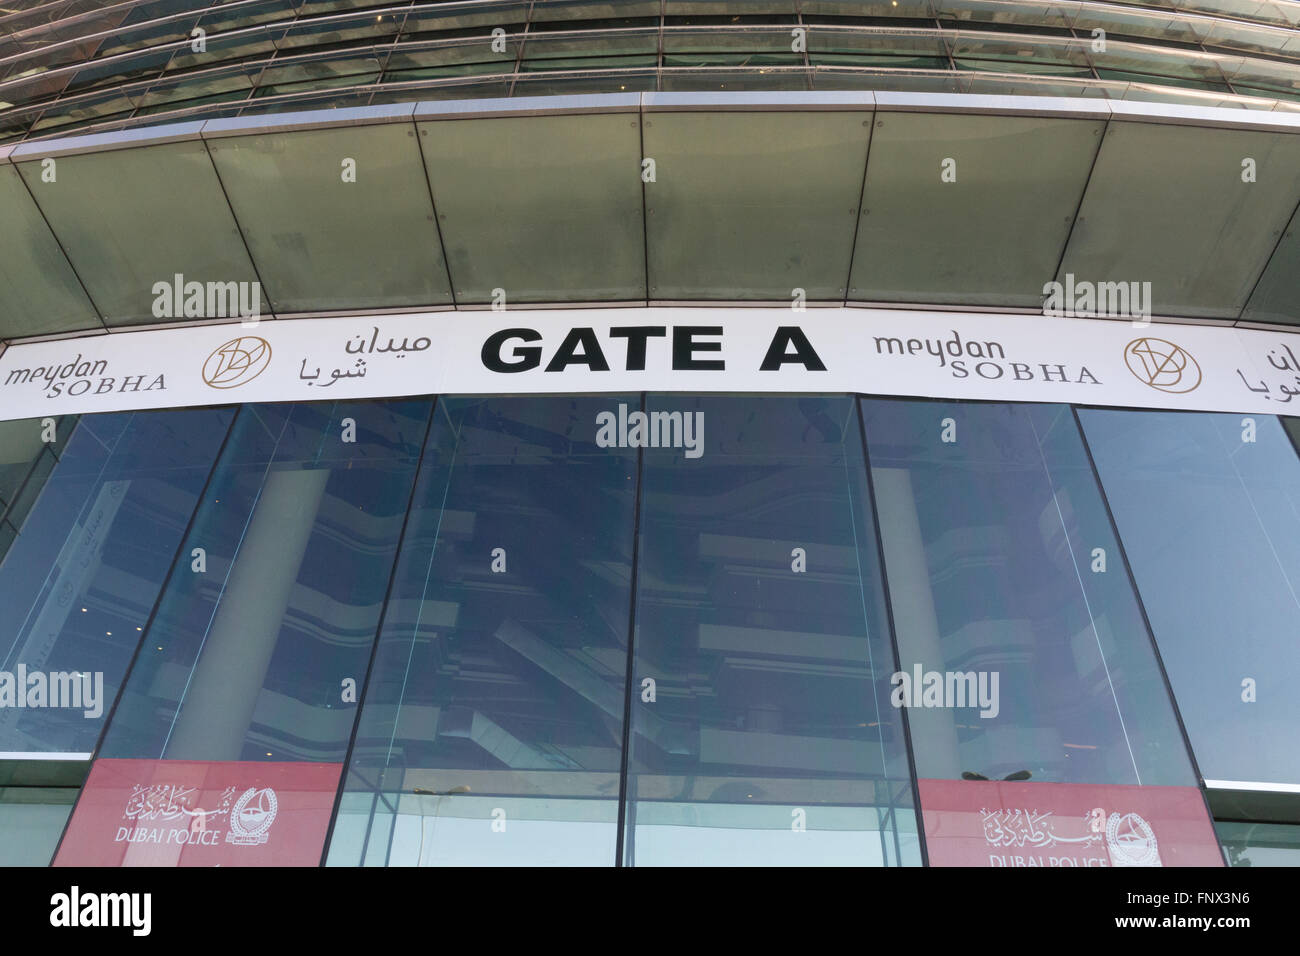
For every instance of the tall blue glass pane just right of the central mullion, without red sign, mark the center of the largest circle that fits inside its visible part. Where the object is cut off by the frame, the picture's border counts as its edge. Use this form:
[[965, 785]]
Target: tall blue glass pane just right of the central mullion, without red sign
[[761, 621]]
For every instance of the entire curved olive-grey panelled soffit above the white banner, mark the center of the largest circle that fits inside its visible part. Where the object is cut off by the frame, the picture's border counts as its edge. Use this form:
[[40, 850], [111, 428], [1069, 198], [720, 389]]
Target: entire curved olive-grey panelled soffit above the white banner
[[847, 196]]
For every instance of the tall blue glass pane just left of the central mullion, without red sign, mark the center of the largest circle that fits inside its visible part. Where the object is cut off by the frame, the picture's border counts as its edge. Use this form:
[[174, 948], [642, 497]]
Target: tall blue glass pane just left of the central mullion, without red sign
[[501, 677]]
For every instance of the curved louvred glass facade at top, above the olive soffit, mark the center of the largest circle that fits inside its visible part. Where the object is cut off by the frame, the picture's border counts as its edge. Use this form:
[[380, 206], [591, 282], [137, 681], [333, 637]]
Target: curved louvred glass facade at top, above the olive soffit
[[145, 63]]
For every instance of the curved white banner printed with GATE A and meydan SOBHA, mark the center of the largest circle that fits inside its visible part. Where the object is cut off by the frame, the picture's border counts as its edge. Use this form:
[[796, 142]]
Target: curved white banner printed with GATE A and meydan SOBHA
[[1015, 358]]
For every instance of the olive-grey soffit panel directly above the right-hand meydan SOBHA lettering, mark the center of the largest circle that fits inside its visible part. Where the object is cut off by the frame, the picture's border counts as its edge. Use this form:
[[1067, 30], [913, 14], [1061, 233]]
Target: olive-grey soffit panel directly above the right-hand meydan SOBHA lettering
[[969, 210]]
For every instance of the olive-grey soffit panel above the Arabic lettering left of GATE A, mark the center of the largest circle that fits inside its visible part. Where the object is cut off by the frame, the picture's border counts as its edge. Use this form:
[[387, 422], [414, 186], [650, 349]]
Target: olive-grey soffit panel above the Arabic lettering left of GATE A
[[307, 232]]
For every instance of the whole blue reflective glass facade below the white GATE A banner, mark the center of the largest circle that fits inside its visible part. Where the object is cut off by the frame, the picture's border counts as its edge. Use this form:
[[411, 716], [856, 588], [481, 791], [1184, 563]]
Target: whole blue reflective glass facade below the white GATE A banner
[[505, 631]]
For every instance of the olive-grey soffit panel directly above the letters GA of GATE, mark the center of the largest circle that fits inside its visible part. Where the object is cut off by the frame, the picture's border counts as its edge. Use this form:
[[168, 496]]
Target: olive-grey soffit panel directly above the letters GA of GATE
[[545, 209]]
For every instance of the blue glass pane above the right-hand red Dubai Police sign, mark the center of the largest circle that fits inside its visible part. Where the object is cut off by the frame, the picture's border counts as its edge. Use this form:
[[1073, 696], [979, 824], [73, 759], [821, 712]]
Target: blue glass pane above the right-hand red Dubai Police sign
[[990, 544]]
